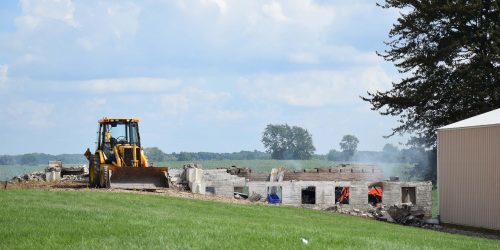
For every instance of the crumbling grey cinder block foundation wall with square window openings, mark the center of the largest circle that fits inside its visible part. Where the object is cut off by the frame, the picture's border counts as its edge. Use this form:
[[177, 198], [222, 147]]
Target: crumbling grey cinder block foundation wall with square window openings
[[313, 188]]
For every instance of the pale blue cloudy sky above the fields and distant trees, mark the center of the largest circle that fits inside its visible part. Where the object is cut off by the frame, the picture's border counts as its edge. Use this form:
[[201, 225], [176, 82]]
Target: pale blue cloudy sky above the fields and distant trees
[[202, 75]]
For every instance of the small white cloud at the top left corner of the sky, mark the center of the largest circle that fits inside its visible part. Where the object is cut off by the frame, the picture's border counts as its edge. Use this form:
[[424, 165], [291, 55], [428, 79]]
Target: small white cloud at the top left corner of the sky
[[34, 12]]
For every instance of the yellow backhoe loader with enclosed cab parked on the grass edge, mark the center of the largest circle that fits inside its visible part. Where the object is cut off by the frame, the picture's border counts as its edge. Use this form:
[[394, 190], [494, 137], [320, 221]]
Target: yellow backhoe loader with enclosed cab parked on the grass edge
[[119, 161]]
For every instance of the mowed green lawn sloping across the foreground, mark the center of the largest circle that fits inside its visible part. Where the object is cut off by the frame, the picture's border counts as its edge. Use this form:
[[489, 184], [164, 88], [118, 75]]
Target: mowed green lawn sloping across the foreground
[[34, 219]]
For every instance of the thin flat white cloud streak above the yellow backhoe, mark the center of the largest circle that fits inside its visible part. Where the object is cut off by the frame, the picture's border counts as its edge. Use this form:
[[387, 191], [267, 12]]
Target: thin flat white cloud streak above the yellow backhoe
[[130, 85]]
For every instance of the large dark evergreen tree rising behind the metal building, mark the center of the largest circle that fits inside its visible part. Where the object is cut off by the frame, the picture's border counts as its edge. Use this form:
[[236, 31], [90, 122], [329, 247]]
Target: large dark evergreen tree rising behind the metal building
[[448, 53]]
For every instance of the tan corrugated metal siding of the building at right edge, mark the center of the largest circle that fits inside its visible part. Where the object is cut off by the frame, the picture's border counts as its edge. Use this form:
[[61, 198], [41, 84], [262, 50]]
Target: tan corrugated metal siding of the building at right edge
[[469, 176]]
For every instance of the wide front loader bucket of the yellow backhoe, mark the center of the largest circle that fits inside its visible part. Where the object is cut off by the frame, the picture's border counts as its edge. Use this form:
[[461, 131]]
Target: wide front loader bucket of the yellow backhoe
[[138, 178]]
